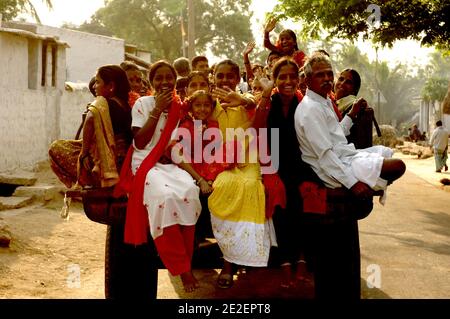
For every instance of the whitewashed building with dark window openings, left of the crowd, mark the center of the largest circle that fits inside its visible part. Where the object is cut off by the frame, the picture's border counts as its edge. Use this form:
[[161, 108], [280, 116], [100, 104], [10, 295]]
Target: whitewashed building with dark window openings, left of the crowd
[[43, 87]]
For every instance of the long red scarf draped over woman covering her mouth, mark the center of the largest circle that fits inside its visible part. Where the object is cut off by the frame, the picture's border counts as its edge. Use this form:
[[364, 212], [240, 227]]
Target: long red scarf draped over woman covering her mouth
[[136, 222]]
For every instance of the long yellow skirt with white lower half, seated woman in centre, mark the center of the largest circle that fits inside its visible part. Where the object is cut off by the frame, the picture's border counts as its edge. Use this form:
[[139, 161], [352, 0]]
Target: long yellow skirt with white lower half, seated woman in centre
[[237, 206]]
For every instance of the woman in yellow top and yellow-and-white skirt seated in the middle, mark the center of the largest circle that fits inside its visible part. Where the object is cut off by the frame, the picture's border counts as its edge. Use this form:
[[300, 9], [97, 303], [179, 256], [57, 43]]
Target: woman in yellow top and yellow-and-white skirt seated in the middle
[[237, 203]]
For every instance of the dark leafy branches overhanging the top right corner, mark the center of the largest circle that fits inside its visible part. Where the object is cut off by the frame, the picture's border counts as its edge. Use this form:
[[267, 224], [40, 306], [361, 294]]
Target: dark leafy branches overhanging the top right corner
[[423, 20]]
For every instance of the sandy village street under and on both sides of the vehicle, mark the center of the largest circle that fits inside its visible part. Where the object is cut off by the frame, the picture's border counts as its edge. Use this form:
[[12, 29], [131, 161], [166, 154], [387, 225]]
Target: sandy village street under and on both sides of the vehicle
[[405, 249]]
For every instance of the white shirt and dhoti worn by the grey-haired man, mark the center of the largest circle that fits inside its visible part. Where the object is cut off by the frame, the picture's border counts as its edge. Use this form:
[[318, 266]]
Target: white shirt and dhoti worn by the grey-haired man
[[325, 147]]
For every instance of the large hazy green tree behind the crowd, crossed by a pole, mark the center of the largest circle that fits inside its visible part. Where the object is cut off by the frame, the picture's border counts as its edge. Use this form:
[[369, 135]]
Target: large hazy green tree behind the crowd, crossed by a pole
[[223, 26]]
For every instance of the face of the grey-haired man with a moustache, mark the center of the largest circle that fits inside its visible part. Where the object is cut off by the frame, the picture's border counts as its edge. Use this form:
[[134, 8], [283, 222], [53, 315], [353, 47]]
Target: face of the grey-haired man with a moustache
[[321, 79]]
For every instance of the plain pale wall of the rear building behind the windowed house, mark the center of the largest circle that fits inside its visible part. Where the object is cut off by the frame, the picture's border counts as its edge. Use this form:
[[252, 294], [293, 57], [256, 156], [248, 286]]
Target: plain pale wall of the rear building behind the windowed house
[[86, 51]]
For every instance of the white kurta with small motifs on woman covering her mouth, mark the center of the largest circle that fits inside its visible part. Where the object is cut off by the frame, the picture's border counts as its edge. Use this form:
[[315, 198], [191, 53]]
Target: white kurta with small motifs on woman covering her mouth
[[170, 194]]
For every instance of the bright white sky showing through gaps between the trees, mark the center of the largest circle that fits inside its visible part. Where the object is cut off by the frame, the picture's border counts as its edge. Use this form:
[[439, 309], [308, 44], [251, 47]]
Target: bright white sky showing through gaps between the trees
[[78, 11]]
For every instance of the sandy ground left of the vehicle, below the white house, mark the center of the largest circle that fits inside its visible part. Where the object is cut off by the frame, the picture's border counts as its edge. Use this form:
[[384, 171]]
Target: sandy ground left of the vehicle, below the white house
[[47, 252]]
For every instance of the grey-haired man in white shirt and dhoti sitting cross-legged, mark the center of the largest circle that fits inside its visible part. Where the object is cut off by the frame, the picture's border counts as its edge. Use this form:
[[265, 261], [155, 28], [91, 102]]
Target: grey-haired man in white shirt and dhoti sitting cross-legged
[[325, 147]]
